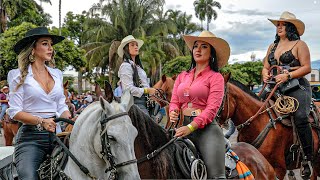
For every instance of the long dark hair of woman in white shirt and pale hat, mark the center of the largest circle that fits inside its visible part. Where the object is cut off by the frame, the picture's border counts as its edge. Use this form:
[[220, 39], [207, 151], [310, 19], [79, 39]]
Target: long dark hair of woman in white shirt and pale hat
[[126, 58]]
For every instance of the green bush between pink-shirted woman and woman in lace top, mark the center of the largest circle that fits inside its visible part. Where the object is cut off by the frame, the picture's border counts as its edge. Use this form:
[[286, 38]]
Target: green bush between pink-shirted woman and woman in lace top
[[248, 73]]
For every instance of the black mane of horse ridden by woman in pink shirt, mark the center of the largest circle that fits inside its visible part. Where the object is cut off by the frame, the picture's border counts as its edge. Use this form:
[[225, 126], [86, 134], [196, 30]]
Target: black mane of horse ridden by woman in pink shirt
[[153, 137]]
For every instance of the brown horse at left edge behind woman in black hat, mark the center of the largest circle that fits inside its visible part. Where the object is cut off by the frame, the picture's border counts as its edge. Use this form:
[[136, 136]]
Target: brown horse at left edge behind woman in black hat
[[10, 129]]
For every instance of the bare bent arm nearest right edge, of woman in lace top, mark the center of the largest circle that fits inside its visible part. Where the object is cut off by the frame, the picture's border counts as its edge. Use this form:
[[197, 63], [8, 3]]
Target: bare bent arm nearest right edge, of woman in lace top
[[304, 59]]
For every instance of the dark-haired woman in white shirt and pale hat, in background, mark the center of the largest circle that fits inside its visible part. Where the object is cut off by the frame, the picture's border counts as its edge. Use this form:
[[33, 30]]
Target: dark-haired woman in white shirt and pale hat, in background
[[131, 73]]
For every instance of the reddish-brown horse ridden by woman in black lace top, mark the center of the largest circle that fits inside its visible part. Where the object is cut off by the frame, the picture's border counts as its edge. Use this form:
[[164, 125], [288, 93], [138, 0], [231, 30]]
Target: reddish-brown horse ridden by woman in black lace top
[[240, 104]]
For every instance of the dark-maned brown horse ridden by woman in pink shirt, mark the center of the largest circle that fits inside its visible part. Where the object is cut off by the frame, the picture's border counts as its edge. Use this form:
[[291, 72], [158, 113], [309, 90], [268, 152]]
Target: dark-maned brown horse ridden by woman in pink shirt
[[164, 166]]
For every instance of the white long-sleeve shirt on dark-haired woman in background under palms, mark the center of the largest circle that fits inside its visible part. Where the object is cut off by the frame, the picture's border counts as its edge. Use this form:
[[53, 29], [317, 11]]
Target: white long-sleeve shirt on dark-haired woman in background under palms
[[125, 74]]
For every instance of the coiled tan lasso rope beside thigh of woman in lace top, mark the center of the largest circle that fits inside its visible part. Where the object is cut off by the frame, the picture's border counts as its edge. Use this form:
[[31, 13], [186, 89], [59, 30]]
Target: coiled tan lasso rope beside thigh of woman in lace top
[[286, 105]]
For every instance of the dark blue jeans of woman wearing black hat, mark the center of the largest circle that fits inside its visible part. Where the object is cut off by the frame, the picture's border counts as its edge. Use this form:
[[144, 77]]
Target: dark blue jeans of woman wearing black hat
[[31, 150]]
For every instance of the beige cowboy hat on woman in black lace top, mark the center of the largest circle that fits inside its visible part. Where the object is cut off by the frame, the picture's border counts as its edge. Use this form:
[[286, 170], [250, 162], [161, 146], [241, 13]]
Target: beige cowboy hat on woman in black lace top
[[290, 17]]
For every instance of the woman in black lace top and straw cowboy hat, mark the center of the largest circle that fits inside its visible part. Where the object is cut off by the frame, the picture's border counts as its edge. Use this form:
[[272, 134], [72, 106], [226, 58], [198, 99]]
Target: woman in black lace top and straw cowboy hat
[[289, 50]]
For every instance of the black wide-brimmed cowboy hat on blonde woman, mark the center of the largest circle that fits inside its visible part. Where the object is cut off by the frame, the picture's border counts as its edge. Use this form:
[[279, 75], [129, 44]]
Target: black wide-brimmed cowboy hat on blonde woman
[[34, 34]]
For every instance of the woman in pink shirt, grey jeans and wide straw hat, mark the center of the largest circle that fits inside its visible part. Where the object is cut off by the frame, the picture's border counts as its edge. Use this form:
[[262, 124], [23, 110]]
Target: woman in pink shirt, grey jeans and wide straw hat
[[198, 94]]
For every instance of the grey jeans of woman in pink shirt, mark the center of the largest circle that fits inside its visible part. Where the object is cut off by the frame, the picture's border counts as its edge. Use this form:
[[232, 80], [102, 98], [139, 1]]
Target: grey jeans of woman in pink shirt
[[210, 142]]
